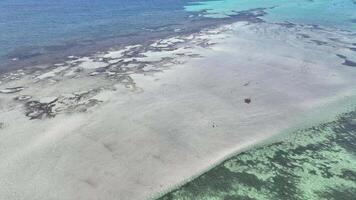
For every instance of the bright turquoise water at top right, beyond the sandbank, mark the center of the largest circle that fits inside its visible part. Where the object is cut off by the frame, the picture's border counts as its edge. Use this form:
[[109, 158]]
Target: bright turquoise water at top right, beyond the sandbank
[[330, 13]]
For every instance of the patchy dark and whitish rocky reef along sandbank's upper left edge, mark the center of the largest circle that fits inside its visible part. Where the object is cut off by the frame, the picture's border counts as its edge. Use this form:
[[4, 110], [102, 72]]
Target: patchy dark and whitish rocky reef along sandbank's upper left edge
[[107, 69]]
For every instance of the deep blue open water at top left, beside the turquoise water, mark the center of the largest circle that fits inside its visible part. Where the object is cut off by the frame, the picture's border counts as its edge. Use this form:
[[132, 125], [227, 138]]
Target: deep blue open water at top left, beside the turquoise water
[[26, 24]]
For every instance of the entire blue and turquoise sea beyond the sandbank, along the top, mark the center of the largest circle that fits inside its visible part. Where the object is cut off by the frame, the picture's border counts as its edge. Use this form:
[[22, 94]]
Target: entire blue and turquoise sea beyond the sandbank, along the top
[[33, 28]]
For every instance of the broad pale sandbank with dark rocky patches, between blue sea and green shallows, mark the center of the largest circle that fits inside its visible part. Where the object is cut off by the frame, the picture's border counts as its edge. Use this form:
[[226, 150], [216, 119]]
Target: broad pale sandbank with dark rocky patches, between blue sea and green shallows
[[132, 123]]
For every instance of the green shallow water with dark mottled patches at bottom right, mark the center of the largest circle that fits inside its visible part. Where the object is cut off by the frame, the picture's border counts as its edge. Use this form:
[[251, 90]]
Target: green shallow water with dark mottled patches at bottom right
[[314, 163]]
